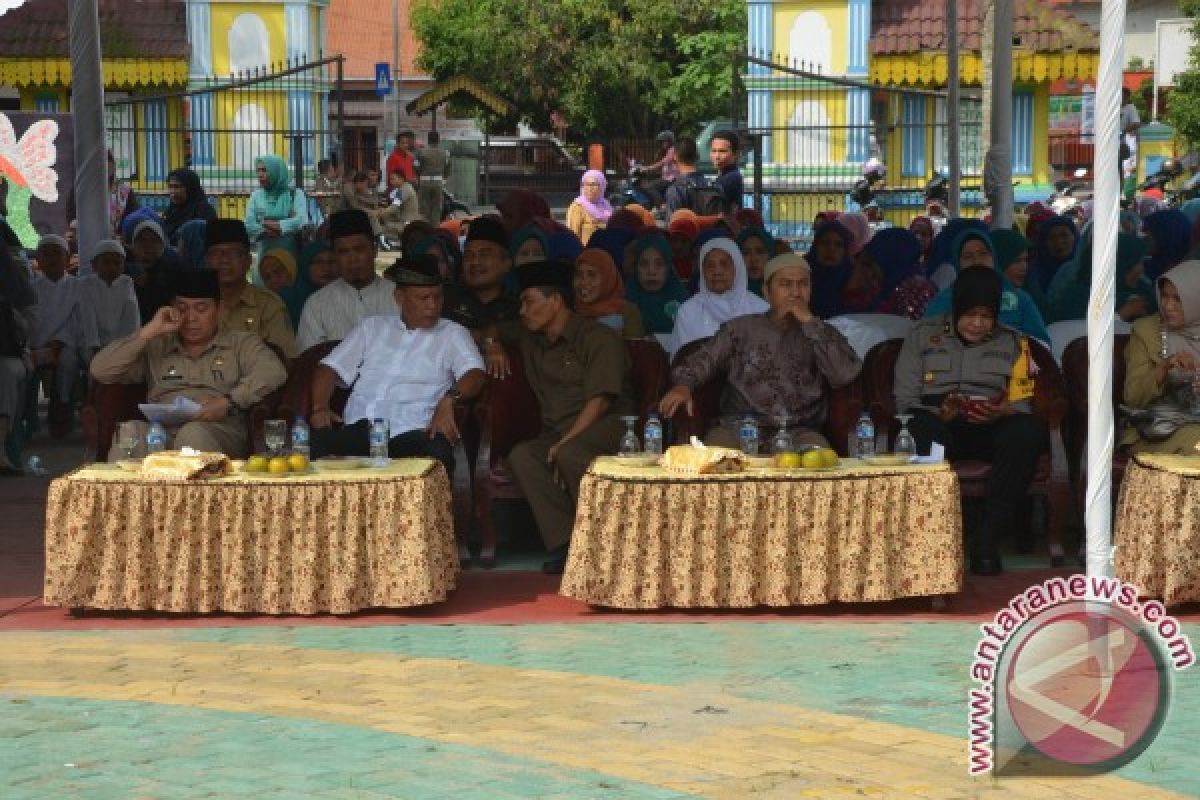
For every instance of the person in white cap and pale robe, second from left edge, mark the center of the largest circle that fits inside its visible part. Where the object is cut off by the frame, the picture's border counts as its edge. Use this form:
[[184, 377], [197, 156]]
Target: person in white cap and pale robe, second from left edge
[[109, 299]]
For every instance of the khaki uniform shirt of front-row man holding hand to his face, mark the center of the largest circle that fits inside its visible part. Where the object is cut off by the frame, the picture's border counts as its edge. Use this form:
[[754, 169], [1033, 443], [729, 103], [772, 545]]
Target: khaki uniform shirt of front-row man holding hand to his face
[[235, 364]]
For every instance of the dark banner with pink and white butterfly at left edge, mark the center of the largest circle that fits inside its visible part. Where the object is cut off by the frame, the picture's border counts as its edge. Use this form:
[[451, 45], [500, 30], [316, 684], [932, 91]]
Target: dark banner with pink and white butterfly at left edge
[[37, 173]]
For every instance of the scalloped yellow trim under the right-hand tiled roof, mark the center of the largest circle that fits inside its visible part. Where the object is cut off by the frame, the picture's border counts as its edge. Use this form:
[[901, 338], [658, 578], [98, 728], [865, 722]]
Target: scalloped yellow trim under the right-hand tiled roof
[[931, 69]]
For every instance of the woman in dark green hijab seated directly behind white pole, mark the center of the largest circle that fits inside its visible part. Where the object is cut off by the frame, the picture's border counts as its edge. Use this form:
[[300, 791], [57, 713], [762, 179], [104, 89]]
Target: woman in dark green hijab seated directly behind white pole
[[1072, 286]]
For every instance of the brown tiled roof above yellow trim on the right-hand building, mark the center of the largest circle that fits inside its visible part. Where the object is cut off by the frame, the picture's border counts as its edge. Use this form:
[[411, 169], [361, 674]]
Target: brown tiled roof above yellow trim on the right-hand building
[[903, 27]]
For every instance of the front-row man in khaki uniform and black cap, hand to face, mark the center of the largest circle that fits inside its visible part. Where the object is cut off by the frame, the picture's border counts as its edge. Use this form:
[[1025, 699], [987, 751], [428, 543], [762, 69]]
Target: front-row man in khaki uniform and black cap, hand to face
[[183, 353]]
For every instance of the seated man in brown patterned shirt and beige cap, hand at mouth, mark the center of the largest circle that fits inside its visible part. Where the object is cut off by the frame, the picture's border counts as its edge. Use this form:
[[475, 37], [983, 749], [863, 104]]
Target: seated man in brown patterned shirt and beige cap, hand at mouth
[[783, 362]]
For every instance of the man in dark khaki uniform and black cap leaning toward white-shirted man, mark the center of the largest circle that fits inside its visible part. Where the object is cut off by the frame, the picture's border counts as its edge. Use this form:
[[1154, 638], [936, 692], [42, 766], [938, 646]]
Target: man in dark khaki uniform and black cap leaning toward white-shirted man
[[580, 372]]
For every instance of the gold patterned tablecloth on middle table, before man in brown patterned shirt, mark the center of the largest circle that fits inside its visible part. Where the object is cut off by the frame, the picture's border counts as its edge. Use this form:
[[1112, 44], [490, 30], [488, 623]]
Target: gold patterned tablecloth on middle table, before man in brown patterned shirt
[[649, 539]]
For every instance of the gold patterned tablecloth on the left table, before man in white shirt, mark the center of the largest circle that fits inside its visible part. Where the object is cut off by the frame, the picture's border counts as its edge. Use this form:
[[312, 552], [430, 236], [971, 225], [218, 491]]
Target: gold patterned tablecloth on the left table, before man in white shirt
[[277, 545]]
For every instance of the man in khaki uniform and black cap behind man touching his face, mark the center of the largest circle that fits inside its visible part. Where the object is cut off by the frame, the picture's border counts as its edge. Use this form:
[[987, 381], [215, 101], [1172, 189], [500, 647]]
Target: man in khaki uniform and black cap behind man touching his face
[[245, 308]]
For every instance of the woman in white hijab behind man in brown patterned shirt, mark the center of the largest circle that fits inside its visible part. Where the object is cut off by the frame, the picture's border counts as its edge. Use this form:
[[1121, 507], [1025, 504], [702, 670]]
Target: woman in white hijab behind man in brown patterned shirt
[[724, 294]]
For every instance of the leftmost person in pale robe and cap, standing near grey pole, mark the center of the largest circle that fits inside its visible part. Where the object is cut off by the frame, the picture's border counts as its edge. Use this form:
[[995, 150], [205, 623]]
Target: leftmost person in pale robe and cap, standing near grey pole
[[57, 341]]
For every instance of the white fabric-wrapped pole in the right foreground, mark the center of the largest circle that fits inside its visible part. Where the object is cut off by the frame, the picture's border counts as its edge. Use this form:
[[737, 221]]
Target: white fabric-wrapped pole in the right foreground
[[1106, 225]]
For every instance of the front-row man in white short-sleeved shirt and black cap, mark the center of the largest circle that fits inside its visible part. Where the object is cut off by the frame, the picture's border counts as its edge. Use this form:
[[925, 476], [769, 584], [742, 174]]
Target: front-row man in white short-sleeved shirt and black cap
[[410, 369]]
